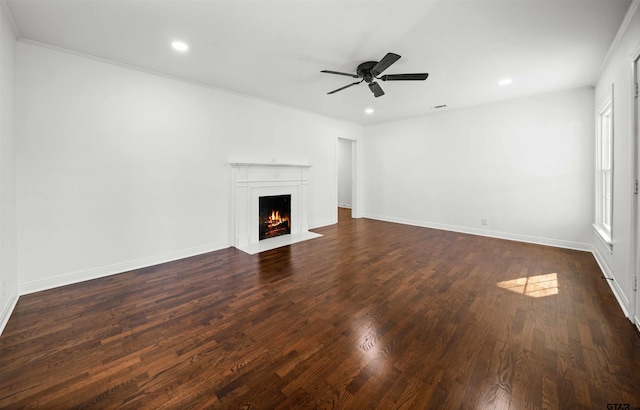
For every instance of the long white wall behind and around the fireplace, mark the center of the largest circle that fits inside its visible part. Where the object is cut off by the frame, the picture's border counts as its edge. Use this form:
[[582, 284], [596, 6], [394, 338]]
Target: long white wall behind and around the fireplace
[[118, 168]]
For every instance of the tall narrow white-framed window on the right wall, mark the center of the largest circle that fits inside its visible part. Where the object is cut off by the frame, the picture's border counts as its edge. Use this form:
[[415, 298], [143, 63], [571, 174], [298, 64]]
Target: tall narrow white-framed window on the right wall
[[604, 170]]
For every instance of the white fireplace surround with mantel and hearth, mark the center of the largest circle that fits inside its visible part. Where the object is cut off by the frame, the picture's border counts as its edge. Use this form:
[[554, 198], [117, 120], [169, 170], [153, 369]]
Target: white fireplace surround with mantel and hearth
[[250, 181]]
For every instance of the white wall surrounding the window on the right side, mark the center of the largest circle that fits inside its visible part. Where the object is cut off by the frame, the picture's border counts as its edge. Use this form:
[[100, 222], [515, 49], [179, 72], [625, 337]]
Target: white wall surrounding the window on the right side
[[617, 263]]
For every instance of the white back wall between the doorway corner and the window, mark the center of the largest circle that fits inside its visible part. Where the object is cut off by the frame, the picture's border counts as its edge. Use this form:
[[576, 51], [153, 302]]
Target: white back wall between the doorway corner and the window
[[526, 165]]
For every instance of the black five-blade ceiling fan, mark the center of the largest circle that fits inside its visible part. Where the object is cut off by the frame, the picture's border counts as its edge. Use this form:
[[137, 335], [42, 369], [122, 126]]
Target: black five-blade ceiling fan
[[370, 71]]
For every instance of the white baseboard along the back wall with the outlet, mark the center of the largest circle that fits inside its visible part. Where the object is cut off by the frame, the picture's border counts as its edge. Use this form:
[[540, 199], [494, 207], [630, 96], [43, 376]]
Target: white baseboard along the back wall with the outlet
[[558, 243]]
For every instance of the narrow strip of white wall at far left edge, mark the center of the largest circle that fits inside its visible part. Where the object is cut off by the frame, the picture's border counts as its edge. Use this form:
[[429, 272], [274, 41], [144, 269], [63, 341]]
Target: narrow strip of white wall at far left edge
[[8, 273]]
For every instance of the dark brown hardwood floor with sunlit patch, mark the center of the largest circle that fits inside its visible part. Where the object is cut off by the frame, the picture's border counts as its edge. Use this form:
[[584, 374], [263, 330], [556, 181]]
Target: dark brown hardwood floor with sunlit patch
[[371, 315]]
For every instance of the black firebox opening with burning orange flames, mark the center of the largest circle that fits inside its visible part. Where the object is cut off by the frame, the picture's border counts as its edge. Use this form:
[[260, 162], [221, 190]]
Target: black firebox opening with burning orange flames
[[274, 216]]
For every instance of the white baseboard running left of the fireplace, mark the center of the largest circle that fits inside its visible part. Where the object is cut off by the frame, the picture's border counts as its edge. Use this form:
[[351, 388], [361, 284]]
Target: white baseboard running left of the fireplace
[[102, 271]]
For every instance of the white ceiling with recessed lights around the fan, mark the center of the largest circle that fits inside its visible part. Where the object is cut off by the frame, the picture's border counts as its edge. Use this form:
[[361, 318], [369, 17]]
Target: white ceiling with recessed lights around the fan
[[274, 50]]
